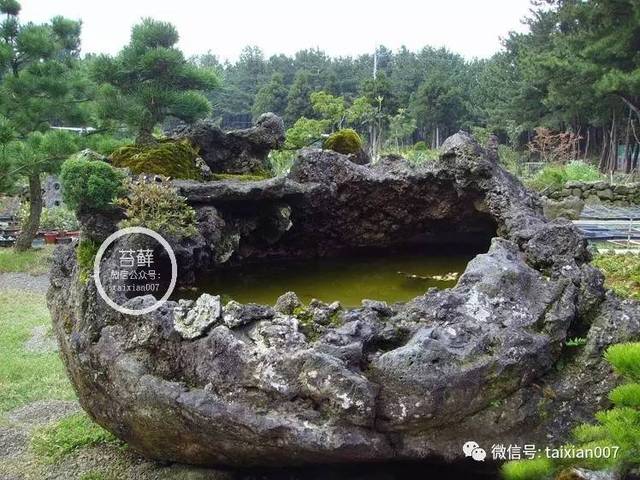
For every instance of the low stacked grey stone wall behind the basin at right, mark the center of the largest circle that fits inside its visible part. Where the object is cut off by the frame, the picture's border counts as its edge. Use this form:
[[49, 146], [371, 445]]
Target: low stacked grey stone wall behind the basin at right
[[599, 192]]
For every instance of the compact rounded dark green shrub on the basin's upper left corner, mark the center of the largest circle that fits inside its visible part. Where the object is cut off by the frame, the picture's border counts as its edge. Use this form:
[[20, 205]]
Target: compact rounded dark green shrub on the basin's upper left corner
[[90, 184]]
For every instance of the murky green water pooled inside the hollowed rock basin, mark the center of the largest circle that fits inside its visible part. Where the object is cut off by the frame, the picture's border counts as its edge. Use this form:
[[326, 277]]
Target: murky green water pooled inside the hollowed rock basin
[[396, 278]]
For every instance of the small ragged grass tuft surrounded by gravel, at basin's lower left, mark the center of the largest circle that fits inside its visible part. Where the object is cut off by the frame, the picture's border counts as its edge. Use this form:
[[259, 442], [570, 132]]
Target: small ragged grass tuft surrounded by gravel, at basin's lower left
[[54, 441]]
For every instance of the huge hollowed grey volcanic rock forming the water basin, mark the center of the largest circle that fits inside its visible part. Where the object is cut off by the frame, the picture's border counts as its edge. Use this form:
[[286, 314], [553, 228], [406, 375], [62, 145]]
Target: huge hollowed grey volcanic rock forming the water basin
[[485, 360]]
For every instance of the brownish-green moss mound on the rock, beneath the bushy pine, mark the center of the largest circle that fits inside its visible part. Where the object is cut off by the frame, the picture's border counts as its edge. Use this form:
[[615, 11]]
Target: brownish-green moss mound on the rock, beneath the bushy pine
[[175, 159]]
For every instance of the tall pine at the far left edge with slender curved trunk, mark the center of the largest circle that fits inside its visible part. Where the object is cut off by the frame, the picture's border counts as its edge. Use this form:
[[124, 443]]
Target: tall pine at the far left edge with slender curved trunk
[[41, 85]]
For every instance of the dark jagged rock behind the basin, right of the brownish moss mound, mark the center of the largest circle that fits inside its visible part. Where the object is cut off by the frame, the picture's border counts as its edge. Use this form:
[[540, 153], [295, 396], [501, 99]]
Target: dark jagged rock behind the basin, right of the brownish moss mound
[[236, 151]]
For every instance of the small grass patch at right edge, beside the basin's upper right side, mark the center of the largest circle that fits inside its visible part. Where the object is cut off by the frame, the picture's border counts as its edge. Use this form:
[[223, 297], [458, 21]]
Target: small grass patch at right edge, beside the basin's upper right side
[[622, 273]]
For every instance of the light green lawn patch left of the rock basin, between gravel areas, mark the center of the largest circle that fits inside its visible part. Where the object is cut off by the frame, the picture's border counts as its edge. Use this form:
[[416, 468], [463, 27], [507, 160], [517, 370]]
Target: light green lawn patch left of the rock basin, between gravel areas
[[26, 377]]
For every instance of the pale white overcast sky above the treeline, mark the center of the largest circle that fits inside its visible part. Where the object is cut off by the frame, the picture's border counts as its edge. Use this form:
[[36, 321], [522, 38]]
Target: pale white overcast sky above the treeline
[[339, 27]]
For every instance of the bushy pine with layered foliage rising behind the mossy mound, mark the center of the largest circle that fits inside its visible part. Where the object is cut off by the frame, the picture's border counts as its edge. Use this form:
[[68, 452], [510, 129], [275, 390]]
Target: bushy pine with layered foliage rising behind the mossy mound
[[150, 80]]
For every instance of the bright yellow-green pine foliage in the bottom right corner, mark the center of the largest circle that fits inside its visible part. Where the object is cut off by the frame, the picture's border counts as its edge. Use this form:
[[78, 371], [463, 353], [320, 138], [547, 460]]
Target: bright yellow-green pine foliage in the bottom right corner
[[617, 429]]
